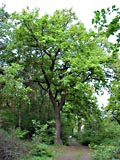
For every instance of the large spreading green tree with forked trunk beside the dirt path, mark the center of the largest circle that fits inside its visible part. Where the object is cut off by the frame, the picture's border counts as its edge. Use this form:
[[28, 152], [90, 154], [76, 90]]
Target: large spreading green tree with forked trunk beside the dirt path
[[57, 53]]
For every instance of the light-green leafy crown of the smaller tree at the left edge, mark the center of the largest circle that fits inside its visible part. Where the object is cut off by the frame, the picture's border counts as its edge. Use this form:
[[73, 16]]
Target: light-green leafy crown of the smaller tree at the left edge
[[14, 88]]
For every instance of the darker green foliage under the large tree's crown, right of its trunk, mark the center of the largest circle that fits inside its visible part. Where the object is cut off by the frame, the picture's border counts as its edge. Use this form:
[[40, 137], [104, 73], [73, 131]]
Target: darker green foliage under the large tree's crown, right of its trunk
[[81, 102]]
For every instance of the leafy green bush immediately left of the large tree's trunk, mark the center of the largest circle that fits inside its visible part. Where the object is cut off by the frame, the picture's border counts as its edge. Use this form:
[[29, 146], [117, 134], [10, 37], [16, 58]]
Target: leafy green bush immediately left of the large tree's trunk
[[44, 133]]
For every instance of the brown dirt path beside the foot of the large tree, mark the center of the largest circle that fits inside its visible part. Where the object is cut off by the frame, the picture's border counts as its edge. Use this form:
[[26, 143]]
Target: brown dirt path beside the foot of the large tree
[[73, 152]]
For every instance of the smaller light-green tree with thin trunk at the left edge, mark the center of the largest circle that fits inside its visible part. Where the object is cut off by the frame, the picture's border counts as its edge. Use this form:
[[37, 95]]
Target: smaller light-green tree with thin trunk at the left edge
[[14, 93]]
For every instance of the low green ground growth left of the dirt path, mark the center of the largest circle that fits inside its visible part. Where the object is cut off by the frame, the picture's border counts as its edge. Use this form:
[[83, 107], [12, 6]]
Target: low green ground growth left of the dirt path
[[32, 151]]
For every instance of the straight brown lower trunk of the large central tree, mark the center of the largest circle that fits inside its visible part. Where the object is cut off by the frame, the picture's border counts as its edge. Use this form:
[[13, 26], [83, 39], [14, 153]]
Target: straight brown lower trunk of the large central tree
[[58, 126]]
